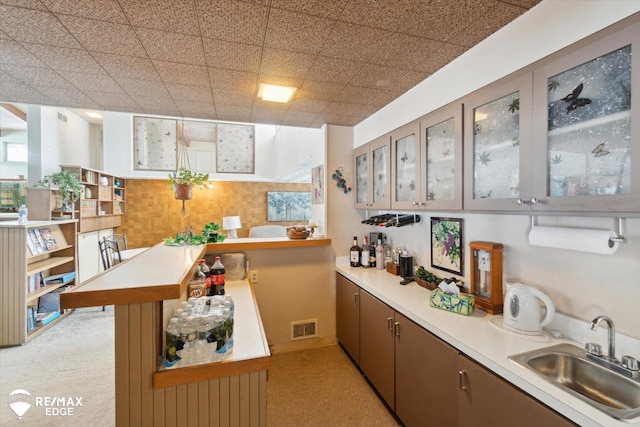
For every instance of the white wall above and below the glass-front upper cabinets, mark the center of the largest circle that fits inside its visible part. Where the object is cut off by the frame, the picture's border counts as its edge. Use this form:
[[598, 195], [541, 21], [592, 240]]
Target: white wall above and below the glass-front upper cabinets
[[582, 285]]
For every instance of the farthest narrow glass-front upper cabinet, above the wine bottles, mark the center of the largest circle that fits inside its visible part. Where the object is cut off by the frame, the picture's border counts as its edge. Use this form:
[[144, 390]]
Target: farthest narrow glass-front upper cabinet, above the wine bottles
[[372, 170]]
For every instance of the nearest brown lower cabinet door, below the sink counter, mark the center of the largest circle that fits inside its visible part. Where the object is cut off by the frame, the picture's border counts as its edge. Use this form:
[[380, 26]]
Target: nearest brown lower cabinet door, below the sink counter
[[485, 399]]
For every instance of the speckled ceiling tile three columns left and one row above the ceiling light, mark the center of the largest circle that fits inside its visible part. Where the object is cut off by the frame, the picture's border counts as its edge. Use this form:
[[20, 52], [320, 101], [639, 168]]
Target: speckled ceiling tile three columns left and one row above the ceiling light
[[105, 37]]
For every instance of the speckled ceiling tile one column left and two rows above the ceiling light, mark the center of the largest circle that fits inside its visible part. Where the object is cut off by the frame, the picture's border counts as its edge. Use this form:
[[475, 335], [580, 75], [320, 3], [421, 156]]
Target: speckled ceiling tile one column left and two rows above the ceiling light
[[233, 20]]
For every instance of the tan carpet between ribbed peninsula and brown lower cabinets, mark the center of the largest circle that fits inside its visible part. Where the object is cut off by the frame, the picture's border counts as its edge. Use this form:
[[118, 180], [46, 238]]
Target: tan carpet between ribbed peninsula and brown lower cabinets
[[321, 387]]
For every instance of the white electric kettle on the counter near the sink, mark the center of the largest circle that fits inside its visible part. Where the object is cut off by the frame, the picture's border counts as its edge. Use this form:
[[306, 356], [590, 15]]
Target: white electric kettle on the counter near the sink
[[522, 311]]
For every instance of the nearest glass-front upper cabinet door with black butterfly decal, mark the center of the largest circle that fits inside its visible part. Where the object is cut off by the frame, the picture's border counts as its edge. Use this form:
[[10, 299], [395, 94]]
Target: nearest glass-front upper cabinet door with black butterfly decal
[[586, 125]]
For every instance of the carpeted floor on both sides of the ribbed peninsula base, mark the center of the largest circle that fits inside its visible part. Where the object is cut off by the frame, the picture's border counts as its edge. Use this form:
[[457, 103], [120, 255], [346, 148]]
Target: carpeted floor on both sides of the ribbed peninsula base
[[74, 359]]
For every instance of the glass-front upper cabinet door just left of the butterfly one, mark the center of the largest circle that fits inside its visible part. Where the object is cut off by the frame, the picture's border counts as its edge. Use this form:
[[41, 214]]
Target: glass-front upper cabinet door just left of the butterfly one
[[498, 145]]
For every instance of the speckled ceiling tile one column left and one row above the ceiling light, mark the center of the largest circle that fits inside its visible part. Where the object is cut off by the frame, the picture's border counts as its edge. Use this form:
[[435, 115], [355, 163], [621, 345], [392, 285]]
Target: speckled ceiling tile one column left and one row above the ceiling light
[[232, 56]]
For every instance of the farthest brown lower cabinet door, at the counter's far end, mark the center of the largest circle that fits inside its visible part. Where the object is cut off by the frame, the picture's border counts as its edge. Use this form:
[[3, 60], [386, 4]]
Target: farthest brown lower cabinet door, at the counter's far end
[[348, 316]]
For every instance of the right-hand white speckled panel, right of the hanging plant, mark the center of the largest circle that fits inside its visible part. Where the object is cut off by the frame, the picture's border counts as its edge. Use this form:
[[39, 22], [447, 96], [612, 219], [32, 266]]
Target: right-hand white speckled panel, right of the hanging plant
[[236, 149]]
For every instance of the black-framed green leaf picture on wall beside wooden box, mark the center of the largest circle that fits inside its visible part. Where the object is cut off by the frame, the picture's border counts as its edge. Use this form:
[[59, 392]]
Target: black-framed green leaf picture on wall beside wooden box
[[447, 245]]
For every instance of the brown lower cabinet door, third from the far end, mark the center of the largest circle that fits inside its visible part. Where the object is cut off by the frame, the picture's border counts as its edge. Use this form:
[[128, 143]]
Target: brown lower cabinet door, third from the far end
[[426, 377]]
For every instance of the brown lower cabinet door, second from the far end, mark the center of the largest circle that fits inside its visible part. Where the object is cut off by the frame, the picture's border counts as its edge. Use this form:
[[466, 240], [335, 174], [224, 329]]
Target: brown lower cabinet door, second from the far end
[[376, 345]]
